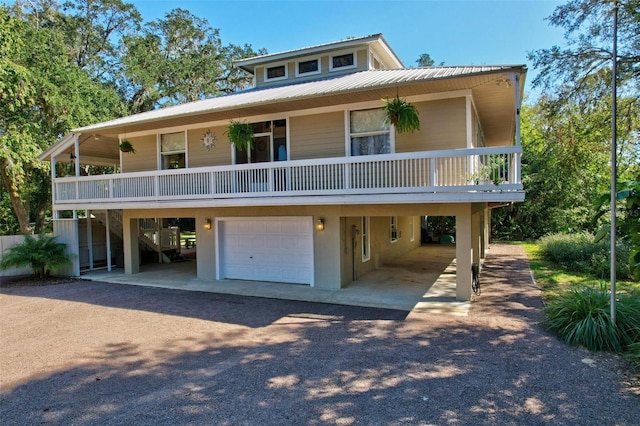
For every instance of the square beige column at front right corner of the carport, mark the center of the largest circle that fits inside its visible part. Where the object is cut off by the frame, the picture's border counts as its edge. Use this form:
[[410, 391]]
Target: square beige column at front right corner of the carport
[[464, 253]]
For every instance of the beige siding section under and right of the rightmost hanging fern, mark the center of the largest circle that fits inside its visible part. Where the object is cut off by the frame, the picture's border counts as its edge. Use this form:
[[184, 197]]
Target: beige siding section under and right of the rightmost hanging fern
[[442, 126]]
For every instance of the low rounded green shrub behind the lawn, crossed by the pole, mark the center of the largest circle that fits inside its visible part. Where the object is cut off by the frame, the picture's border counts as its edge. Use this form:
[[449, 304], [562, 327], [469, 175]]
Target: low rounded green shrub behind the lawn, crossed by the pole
[[580, 253]]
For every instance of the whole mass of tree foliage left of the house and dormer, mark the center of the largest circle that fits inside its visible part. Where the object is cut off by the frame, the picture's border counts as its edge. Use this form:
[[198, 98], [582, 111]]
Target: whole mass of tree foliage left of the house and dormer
[[85, 61]]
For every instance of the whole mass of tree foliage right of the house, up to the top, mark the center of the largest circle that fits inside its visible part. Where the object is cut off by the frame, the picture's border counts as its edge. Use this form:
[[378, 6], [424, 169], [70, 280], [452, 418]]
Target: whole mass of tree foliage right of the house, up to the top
[[566, 133]]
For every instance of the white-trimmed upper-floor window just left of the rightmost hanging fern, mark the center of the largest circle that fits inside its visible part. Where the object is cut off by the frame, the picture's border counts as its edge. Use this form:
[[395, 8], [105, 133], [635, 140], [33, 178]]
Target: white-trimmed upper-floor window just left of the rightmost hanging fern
[[369, 133]]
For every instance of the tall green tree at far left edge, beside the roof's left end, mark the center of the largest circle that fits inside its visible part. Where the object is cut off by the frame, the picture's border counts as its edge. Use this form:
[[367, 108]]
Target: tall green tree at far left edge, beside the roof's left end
[[43, 95]]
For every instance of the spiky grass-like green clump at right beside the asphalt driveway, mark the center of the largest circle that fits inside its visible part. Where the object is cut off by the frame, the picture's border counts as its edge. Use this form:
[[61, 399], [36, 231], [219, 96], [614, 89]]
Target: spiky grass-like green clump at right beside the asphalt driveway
[[582, 317]]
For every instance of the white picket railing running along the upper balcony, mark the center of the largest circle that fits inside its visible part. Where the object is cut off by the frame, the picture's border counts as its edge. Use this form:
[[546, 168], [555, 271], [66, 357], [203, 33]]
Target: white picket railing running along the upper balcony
[[477, 169]]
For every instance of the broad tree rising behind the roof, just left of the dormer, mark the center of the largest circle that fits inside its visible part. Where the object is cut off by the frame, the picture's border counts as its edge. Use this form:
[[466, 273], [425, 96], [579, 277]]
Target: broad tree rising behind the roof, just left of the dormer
[[177, 59]]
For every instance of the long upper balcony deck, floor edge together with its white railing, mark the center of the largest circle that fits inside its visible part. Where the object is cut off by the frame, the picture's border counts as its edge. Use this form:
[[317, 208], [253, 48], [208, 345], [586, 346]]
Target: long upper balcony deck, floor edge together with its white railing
[[464, 175]]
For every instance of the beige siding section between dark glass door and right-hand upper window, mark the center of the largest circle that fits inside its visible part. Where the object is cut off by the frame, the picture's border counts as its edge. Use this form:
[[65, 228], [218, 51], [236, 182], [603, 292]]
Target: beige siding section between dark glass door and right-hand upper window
[[317, 136]]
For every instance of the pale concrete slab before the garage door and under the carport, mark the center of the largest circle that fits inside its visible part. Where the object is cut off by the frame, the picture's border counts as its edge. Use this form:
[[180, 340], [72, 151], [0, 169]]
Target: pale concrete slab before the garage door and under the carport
[[422, 282]]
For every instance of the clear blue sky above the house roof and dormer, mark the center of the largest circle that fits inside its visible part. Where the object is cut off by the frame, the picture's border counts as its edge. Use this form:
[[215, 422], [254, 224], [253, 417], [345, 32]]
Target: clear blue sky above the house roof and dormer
[[455, 32]]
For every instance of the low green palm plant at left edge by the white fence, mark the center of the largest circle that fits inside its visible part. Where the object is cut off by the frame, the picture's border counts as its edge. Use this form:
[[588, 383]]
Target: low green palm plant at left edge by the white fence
[[42, 254]]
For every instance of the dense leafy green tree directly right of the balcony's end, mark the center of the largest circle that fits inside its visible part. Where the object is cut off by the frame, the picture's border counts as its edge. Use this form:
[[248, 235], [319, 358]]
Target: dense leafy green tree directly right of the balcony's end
[[561, 172]]
